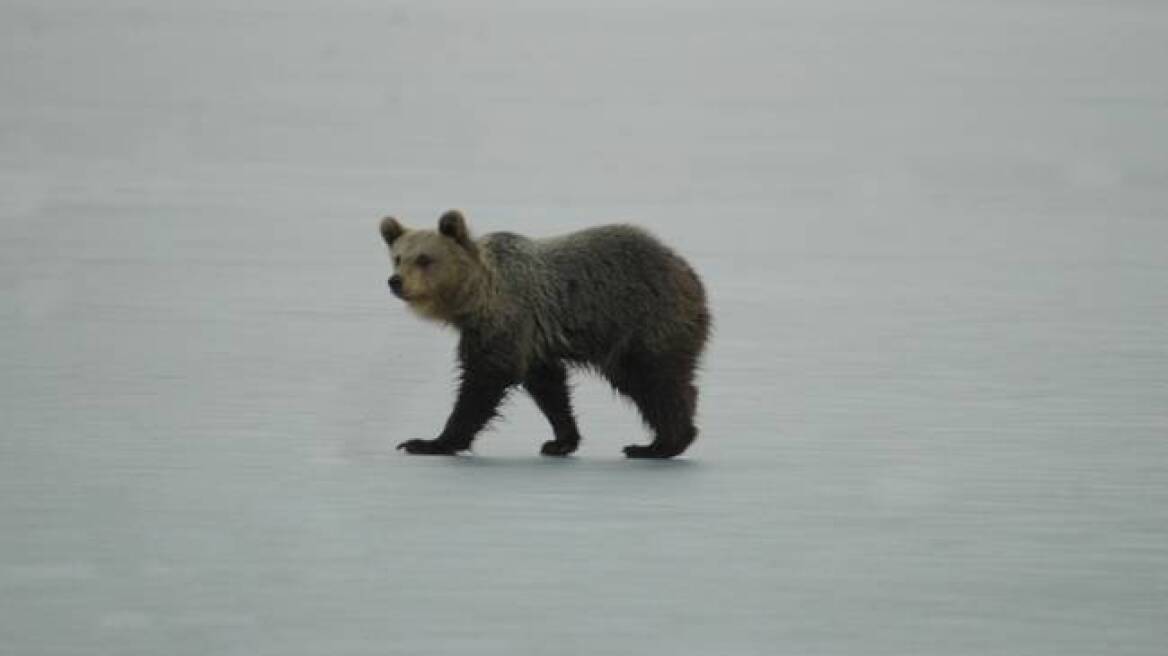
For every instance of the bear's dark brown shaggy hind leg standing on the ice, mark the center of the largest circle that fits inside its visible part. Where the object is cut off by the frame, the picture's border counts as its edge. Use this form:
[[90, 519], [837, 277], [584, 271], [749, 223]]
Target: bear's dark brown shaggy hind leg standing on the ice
[[664, 393]]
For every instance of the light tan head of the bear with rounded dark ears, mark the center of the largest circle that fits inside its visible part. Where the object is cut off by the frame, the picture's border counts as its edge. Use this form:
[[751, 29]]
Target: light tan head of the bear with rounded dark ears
[[437, 273]]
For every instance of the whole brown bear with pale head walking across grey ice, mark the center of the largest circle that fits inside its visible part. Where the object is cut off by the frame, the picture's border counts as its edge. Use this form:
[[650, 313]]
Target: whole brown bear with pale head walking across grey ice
[[613, 299]]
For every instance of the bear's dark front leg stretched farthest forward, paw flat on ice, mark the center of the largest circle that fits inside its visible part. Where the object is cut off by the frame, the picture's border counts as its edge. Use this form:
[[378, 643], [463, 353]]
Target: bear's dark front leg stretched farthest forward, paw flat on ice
[[479, 396]]
